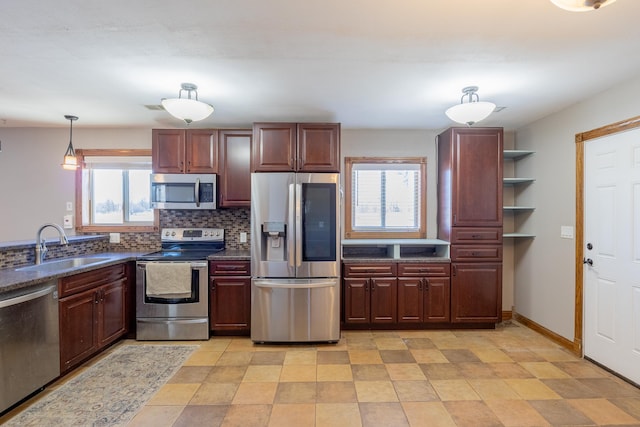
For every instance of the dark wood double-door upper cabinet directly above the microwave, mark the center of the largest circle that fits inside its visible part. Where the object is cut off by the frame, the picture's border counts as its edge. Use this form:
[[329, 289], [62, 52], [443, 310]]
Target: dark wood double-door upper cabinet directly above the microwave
[[184, 151]]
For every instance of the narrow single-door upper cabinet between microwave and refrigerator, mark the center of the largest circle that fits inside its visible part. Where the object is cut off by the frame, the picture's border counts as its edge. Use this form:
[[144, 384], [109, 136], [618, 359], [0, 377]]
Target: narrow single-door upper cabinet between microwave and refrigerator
[[235, 167]]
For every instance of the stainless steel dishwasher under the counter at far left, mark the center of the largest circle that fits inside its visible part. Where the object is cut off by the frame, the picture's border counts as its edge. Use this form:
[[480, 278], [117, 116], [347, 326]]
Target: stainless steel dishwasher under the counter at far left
[[29, 341]]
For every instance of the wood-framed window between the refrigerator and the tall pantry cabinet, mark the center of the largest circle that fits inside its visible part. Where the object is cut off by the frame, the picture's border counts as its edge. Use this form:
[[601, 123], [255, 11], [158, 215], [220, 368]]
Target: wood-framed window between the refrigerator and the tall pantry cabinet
[[385, 197]]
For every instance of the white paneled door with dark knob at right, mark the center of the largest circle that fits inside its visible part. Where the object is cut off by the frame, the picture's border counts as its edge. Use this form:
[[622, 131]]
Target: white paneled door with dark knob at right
[[612, 253]]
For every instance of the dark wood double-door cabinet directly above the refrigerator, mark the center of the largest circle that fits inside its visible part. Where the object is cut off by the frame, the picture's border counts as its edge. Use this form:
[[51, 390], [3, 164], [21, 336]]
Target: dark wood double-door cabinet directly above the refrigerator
[[288, 147]]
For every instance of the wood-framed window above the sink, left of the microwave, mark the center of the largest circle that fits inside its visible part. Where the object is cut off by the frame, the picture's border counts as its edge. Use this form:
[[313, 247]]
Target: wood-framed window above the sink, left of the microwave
[[112, 191]]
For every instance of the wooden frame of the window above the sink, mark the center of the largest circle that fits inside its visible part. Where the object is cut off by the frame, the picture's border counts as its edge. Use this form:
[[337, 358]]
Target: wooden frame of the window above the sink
[[93, 228]]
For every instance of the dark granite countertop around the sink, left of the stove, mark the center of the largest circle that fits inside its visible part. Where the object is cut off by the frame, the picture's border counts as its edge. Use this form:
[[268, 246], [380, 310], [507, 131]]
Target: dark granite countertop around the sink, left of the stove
[[12, 280]]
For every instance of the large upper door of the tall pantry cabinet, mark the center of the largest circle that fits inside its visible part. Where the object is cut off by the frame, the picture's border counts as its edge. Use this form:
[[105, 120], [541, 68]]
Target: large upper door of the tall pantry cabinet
[[477, 177]]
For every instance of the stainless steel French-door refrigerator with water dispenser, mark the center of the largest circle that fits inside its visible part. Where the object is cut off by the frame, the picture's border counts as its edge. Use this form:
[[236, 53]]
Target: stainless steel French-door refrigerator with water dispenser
[[295, 257]]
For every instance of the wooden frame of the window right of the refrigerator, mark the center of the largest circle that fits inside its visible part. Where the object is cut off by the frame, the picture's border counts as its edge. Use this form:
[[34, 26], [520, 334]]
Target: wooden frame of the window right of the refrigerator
[[350, 233]]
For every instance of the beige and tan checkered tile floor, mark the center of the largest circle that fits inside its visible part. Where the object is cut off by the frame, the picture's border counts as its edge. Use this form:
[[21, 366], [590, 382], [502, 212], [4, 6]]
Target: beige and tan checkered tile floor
[[510, 376]]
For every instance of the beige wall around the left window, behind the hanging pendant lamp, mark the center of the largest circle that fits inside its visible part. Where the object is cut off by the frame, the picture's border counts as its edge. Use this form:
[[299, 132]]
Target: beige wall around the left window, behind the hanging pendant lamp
[[34, 187]]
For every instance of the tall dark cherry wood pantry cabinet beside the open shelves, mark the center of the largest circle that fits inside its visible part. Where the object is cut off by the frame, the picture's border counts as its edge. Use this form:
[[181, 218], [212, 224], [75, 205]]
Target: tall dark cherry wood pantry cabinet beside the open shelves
[[470, 218]]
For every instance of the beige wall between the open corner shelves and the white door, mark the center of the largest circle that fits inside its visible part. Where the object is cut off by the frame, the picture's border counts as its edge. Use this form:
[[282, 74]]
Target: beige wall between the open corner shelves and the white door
[[545, 273]]
